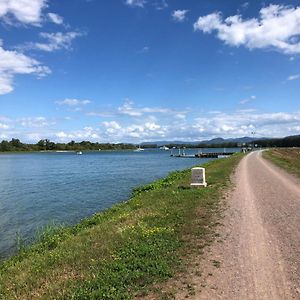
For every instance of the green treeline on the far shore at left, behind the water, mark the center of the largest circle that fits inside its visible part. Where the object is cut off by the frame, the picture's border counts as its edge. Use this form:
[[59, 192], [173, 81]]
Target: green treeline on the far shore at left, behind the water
[[16, 145]]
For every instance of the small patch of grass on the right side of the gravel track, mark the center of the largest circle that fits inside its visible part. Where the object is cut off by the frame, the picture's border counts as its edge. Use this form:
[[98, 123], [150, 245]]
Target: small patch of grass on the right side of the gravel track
[[286, 158]]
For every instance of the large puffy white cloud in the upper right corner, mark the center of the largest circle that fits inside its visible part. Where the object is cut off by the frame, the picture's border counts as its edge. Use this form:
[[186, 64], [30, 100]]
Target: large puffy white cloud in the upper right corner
[[278, 27]]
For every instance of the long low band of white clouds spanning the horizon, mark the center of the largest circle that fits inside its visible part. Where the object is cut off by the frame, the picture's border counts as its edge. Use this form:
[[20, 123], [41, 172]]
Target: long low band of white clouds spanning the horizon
[[204, 125]]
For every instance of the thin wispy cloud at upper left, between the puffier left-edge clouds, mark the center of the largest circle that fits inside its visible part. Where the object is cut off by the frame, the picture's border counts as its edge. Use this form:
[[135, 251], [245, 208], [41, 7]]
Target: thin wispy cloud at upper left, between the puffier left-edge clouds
[[54, 41]]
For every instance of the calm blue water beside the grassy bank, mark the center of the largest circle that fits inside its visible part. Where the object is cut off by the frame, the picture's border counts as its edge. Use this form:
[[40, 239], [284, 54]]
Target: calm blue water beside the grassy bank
[[39, 188]]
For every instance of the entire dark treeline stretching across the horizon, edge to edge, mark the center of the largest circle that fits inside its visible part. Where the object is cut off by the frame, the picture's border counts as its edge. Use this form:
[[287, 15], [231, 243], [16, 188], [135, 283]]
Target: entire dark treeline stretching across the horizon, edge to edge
[[16, 145]]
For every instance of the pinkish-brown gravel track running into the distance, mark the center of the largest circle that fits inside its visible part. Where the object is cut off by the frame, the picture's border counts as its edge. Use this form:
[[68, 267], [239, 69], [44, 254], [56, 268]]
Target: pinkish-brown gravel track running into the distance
[[258, 255]]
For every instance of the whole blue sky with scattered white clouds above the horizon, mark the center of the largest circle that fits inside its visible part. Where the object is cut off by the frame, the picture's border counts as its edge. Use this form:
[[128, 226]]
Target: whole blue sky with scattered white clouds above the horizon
[[148, 70]]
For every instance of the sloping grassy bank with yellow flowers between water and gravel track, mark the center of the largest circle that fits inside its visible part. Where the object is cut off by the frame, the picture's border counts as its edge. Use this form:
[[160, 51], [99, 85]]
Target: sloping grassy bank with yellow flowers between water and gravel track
[[124, 251]]
